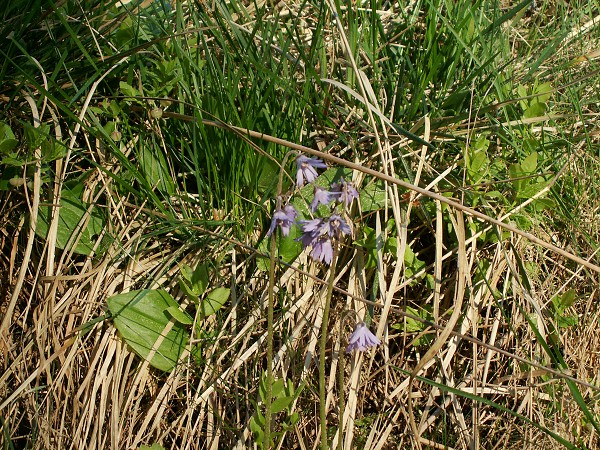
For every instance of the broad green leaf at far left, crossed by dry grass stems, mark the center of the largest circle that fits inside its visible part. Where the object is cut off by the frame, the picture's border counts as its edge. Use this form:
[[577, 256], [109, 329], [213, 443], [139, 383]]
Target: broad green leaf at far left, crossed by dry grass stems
[[73, 211]]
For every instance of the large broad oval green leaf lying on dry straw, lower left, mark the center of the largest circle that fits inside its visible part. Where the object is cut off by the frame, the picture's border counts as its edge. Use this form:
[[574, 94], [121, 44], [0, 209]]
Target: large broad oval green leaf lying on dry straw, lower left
[[141, 318]]
